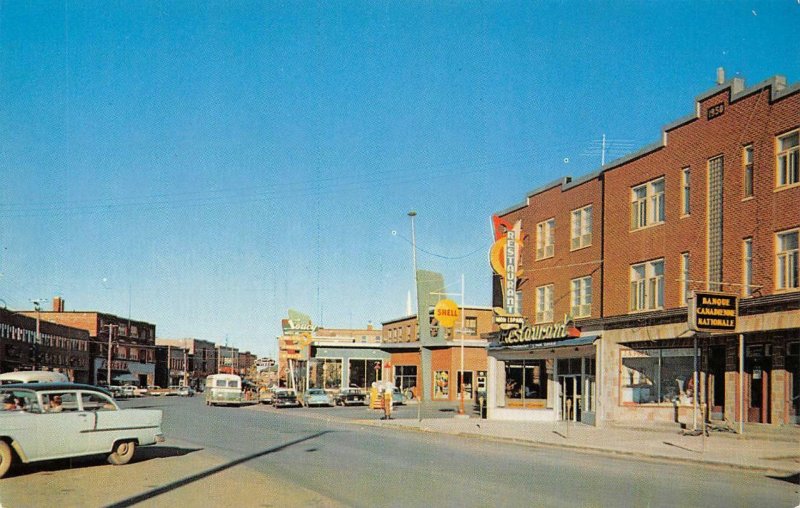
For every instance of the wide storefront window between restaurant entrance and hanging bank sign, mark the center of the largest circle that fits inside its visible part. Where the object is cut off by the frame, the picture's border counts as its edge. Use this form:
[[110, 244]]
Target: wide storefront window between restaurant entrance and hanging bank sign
[[651, 376]]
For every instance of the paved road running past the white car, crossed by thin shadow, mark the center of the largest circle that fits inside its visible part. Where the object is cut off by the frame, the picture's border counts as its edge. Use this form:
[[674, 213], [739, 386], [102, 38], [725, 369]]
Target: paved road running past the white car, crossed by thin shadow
[[266, 457]]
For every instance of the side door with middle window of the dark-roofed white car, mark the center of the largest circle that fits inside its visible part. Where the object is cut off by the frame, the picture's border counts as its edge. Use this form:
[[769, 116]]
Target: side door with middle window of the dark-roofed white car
[[65, 433]]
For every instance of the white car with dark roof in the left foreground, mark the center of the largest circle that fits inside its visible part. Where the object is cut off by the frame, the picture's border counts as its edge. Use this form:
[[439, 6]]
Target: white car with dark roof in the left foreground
[[46, 421]]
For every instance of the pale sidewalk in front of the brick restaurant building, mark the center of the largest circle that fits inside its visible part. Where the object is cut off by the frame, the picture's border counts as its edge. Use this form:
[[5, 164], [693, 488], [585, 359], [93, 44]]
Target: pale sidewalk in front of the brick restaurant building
[[758, 453]]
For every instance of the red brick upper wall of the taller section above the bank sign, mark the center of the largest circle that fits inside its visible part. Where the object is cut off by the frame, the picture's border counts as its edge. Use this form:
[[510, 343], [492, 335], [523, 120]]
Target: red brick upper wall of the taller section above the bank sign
[[752, 120]]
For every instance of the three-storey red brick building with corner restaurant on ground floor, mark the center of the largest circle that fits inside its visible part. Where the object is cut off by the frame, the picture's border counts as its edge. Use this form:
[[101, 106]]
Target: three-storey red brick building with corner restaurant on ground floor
[[711, 207]]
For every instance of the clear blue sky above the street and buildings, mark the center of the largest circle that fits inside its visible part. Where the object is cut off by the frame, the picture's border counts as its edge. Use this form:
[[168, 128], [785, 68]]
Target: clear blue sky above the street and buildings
[[209, 165]]
